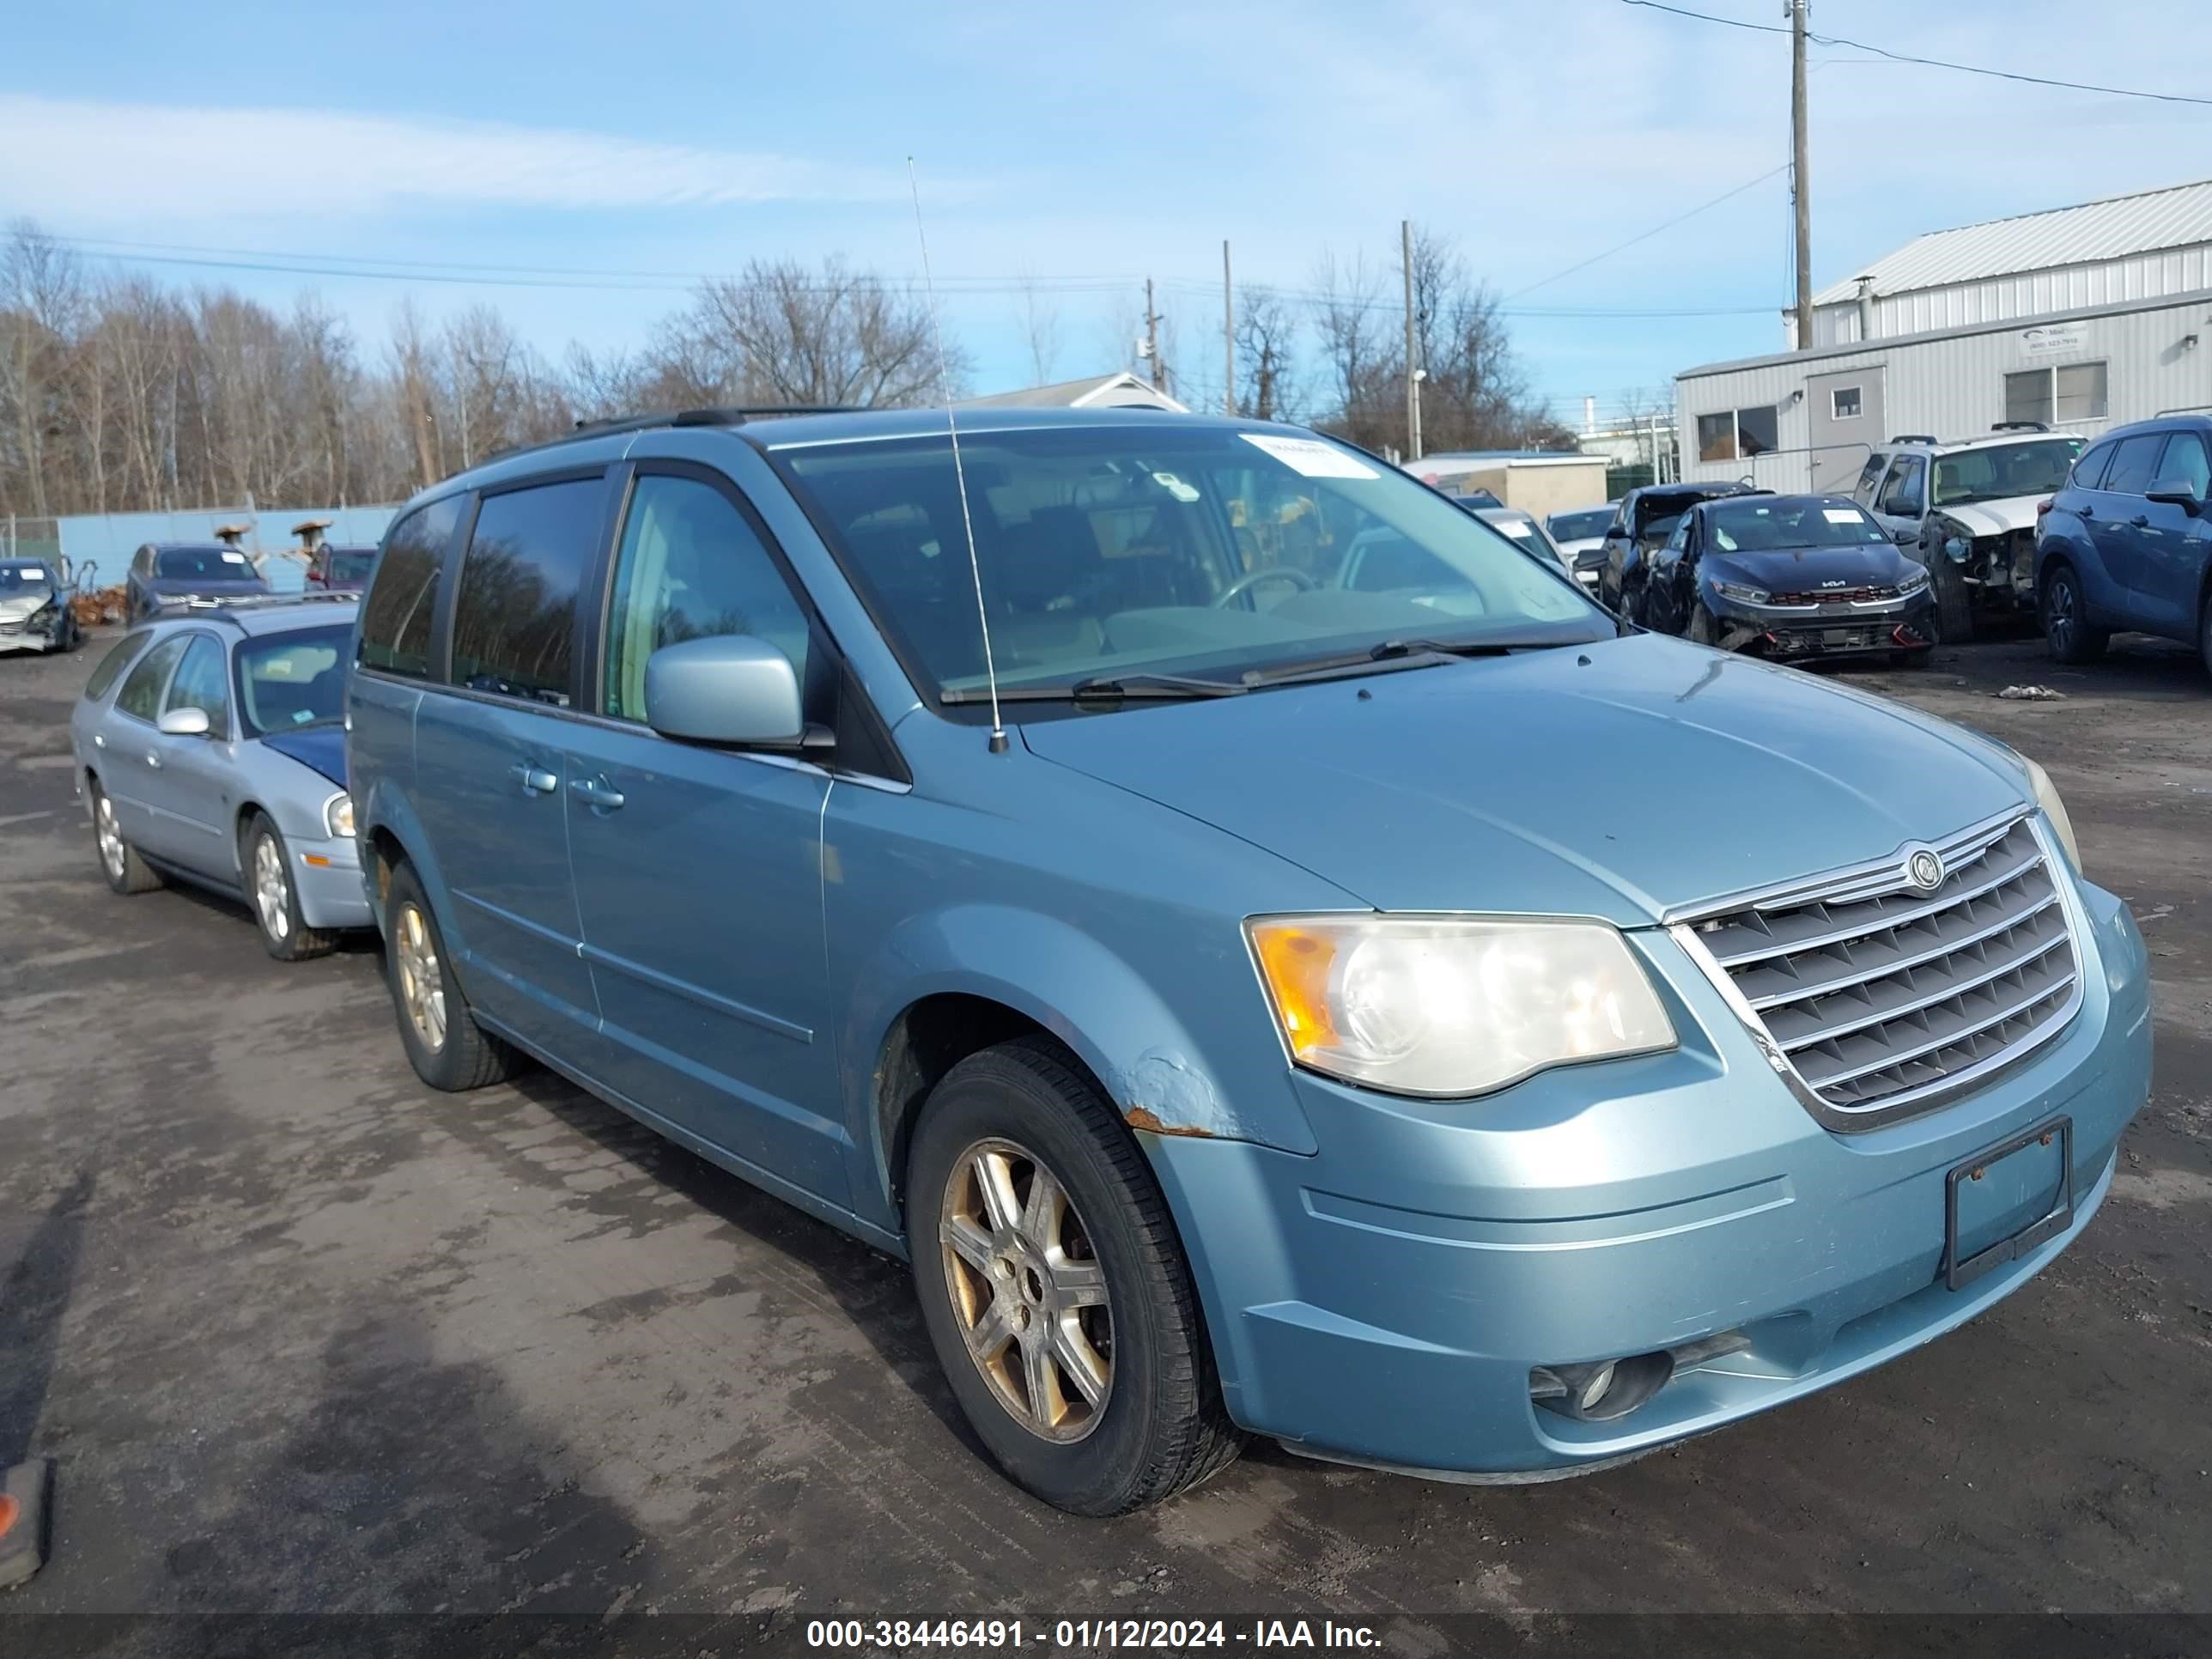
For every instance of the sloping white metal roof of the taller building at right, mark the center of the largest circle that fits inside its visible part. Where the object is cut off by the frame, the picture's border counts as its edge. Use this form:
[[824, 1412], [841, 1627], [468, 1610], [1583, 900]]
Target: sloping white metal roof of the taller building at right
[[2091, 233]]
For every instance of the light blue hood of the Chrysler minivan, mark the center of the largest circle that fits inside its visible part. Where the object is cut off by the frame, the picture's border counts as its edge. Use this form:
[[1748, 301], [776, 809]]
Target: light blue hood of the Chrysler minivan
[[1618, 780]]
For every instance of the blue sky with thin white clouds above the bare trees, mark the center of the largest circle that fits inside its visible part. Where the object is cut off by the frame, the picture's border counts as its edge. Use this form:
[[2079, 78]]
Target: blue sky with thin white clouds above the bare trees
[[1085, 147]]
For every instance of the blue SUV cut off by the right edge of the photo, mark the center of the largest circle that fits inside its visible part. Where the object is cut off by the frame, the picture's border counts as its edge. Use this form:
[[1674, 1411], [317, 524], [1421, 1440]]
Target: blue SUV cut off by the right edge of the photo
[[2127, 543]]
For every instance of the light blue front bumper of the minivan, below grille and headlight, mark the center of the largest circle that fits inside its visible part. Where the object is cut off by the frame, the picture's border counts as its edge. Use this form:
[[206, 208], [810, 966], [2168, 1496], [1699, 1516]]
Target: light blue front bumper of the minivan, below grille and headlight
[[1386, 1300]]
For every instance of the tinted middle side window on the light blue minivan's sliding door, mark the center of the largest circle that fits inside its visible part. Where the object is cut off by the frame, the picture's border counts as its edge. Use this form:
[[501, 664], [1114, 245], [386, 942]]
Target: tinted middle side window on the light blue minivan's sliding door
[[514, 620]]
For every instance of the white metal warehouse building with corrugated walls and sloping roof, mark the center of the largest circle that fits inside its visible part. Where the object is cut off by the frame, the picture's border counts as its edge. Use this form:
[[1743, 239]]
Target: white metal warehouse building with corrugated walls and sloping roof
[[2078, 317]]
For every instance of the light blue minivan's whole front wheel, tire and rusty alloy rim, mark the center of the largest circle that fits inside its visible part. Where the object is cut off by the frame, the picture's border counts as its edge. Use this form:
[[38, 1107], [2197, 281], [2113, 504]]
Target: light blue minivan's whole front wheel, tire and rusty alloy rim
[[1054, 1288]]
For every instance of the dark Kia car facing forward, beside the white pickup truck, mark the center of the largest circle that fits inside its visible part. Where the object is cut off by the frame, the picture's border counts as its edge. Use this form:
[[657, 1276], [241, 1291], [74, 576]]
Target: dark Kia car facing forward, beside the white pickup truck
[[1793, 578]]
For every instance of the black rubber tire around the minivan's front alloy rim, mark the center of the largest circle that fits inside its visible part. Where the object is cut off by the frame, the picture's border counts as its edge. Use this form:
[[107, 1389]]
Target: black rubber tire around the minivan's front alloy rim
[[1160, 1426]]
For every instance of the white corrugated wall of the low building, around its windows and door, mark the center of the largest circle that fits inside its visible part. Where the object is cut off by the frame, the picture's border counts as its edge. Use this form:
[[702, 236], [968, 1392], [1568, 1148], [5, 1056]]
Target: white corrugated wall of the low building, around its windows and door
[[1957, 388]]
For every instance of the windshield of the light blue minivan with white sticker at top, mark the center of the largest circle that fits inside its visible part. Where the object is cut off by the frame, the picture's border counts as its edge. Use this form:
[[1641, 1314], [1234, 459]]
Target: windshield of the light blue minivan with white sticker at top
[[1173, 550]]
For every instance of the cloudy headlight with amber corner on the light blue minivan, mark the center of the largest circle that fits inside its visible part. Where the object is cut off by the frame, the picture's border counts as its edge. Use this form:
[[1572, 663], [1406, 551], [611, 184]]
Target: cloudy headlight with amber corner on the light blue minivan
[[1441, 1005]]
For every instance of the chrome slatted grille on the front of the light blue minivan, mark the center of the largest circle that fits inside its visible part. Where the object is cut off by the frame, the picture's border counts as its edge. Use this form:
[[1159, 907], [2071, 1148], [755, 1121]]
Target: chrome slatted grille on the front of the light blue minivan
[[1877, 992]]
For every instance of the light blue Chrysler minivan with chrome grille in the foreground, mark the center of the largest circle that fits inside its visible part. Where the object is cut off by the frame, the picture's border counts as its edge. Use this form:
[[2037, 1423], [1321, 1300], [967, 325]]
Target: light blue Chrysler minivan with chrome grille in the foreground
[[1311, 974]]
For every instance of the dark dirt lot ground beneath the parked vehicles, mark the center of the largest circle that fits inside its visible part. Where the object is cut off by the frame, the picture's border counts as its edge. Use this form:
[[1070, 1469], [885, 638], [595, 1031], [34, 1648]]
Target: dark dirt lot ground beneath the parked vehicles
[[306, 1337]]
